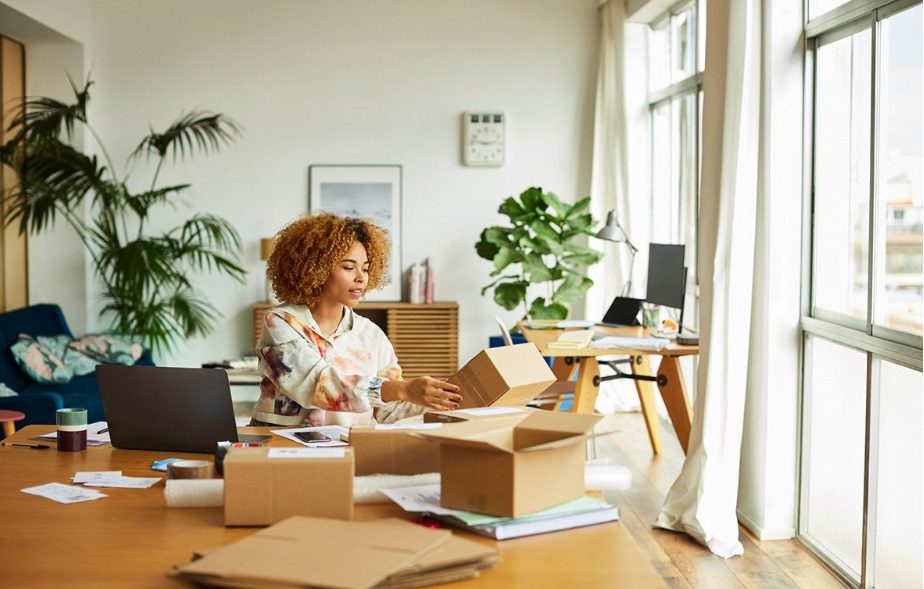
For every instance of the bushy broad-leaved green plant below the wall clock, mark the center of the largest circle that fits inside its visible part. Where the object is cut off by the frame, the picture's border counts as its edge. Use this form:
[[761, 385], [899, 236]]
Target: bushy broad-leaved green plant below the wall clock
[[540, 246]]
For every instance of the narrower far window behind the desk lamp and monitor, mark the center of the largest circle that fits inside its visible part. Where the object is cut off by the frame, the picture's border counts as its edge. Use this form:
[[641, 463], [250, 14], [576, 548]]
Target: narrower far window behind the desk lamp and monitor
[[676, 43]]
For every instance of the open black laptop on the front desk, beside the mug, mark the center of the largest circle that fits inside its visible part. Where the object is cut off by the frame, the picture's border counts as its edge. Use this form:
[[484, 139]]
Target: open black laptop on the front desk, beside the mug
[[168, 409]]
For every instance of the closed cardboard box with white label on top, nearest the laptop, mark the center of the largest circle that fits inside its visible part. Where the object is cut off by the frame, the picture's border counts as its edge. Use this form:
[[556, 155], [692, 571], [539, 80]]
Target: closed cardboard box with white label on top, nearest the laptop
[[267, 485]]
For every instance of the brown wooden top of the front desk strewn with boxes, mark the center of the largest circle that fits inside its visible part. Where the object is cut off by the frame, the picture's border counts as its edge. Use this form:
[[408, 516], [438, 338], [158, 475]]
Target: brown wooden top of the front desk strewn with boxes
[[131, 539]]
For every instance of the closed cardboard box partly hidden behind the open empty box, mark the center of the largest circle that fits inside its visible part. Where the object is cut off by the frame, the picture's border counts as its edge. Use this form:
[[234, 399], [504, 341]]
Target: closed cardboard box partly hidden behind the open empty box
[[390, 449]]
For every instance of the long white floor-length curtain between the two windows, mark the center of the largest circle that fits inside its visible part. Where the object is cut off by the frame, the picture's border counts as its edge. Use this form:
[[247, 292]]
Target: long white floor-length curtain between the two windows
[[703, 500]]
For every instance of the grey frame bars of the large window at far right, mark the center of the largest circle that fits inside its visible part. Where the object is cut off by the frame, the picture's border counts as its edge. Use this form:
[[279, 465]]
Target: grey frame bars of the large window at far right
[[878, 342]]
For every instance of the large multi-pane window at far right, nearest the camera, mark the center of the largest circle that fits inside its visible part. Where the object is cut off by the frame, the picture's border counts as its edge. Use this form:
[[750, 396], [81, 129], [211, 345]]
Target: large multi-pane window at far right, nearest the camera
[[861, 493]]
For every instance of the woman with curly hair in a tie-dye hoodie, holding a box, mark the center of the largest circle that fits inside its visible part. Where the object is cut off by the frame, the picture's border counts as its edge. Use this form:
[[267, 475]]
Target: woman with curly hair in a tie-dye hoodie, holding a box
[[321, 362]]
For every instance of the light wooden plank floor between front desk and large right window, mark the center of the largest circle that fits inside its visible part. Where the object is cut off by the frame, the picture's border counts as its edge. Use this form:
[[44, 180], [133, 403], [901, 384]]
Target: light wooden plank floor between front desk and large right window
[[679, 559]]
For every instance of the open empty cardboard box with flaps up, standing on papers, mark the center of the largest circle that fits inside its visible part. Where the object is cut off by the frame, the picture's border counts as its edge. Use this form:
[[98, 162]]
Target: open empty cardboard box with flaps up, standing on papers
[[512, 466]]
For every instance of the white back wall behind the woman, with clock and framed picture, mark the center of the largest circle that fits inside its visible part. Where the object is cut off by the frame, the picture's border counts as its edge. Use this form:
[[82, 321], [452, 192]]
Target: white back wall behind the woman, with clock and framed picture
[[360, 81]]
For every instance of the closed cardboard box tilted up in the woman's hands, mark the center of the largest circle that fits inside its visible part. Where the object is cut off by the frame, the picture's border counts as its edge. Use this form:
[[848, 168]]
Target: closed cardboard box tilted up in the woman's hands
[[507, 376]]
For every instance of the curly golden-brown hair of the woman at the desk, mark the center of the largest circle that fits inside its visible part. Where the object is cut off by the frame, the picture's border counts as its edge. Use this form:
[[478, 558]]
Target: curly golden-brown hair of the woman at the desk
[[307, 249]]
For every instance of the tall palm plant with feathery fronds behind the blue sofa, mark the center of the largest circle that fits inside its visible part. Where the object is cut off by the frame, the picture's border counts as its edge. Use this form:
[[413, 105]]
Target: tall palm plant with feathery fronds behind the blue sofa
[[145, 278]]
